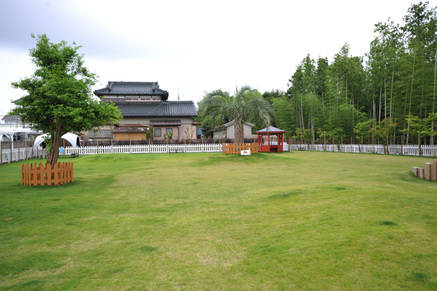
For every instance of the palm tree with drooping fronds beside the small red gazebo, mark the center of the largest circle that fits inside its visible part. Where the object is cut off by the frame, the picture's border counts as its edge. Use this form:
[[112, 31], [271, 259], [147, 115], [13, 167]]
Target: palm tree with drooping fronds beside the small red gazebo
[[245, 103]]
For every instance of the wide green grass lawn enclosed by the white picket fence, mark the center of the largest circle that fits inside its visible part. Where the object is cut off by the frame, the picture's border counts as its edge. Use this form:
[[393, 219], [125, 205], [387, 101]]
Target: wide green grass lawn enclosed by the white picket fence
[[300, 220]]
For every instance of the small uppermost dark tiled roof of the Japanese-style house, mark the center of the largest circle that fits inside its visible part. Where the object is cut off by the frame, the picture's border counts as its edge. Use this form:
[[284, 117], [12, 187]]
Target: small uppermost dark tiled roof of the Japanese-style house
[[132, 88]]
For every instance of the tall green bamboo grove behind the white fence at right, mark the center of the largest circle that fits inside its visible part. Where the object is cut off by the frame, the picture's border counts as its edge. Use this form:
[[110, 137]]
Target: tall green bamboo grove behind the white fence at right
[[390, 93]]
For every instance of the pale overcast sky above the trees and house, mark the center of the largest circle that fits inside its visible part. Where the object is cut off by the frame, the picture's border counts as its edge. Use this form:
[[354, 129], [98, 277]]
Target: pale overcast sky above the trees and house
[[189, 46]]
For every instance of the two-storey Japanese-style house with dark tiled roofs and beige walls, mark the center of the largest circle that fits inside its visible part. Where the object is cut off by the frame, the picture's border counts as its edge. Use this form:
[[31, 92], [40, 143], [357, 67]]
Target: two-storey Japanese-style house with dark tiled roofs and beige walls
[[145, 106]]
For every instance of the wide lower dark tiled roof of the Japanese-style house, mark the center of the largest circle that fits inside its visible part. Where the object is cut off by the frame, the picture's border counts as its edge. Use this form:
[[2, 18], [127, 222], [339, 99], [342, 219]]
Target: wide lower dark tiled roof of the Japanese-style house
[[158, 109]]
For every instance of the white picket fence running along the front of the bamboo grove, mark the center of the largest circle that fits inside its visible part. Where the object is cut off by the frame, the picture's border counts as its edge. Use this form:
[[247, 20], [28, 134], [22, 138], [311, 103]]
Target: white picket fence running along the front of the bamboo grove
[[408, 150]]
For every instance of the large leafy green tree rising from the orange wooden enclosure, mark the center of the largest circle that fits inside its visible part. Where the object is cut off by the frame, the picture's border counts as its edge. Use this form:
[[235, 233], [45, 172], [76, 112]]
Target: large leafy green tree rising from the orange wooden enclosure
[[59, 97]]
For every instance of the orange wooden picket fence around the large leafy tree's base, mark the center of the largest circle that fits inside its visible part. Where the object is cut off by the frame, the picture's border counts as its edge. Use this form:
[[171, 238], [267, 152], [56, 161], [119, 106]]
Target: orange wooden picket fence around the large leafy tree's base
[[34, 175]]
